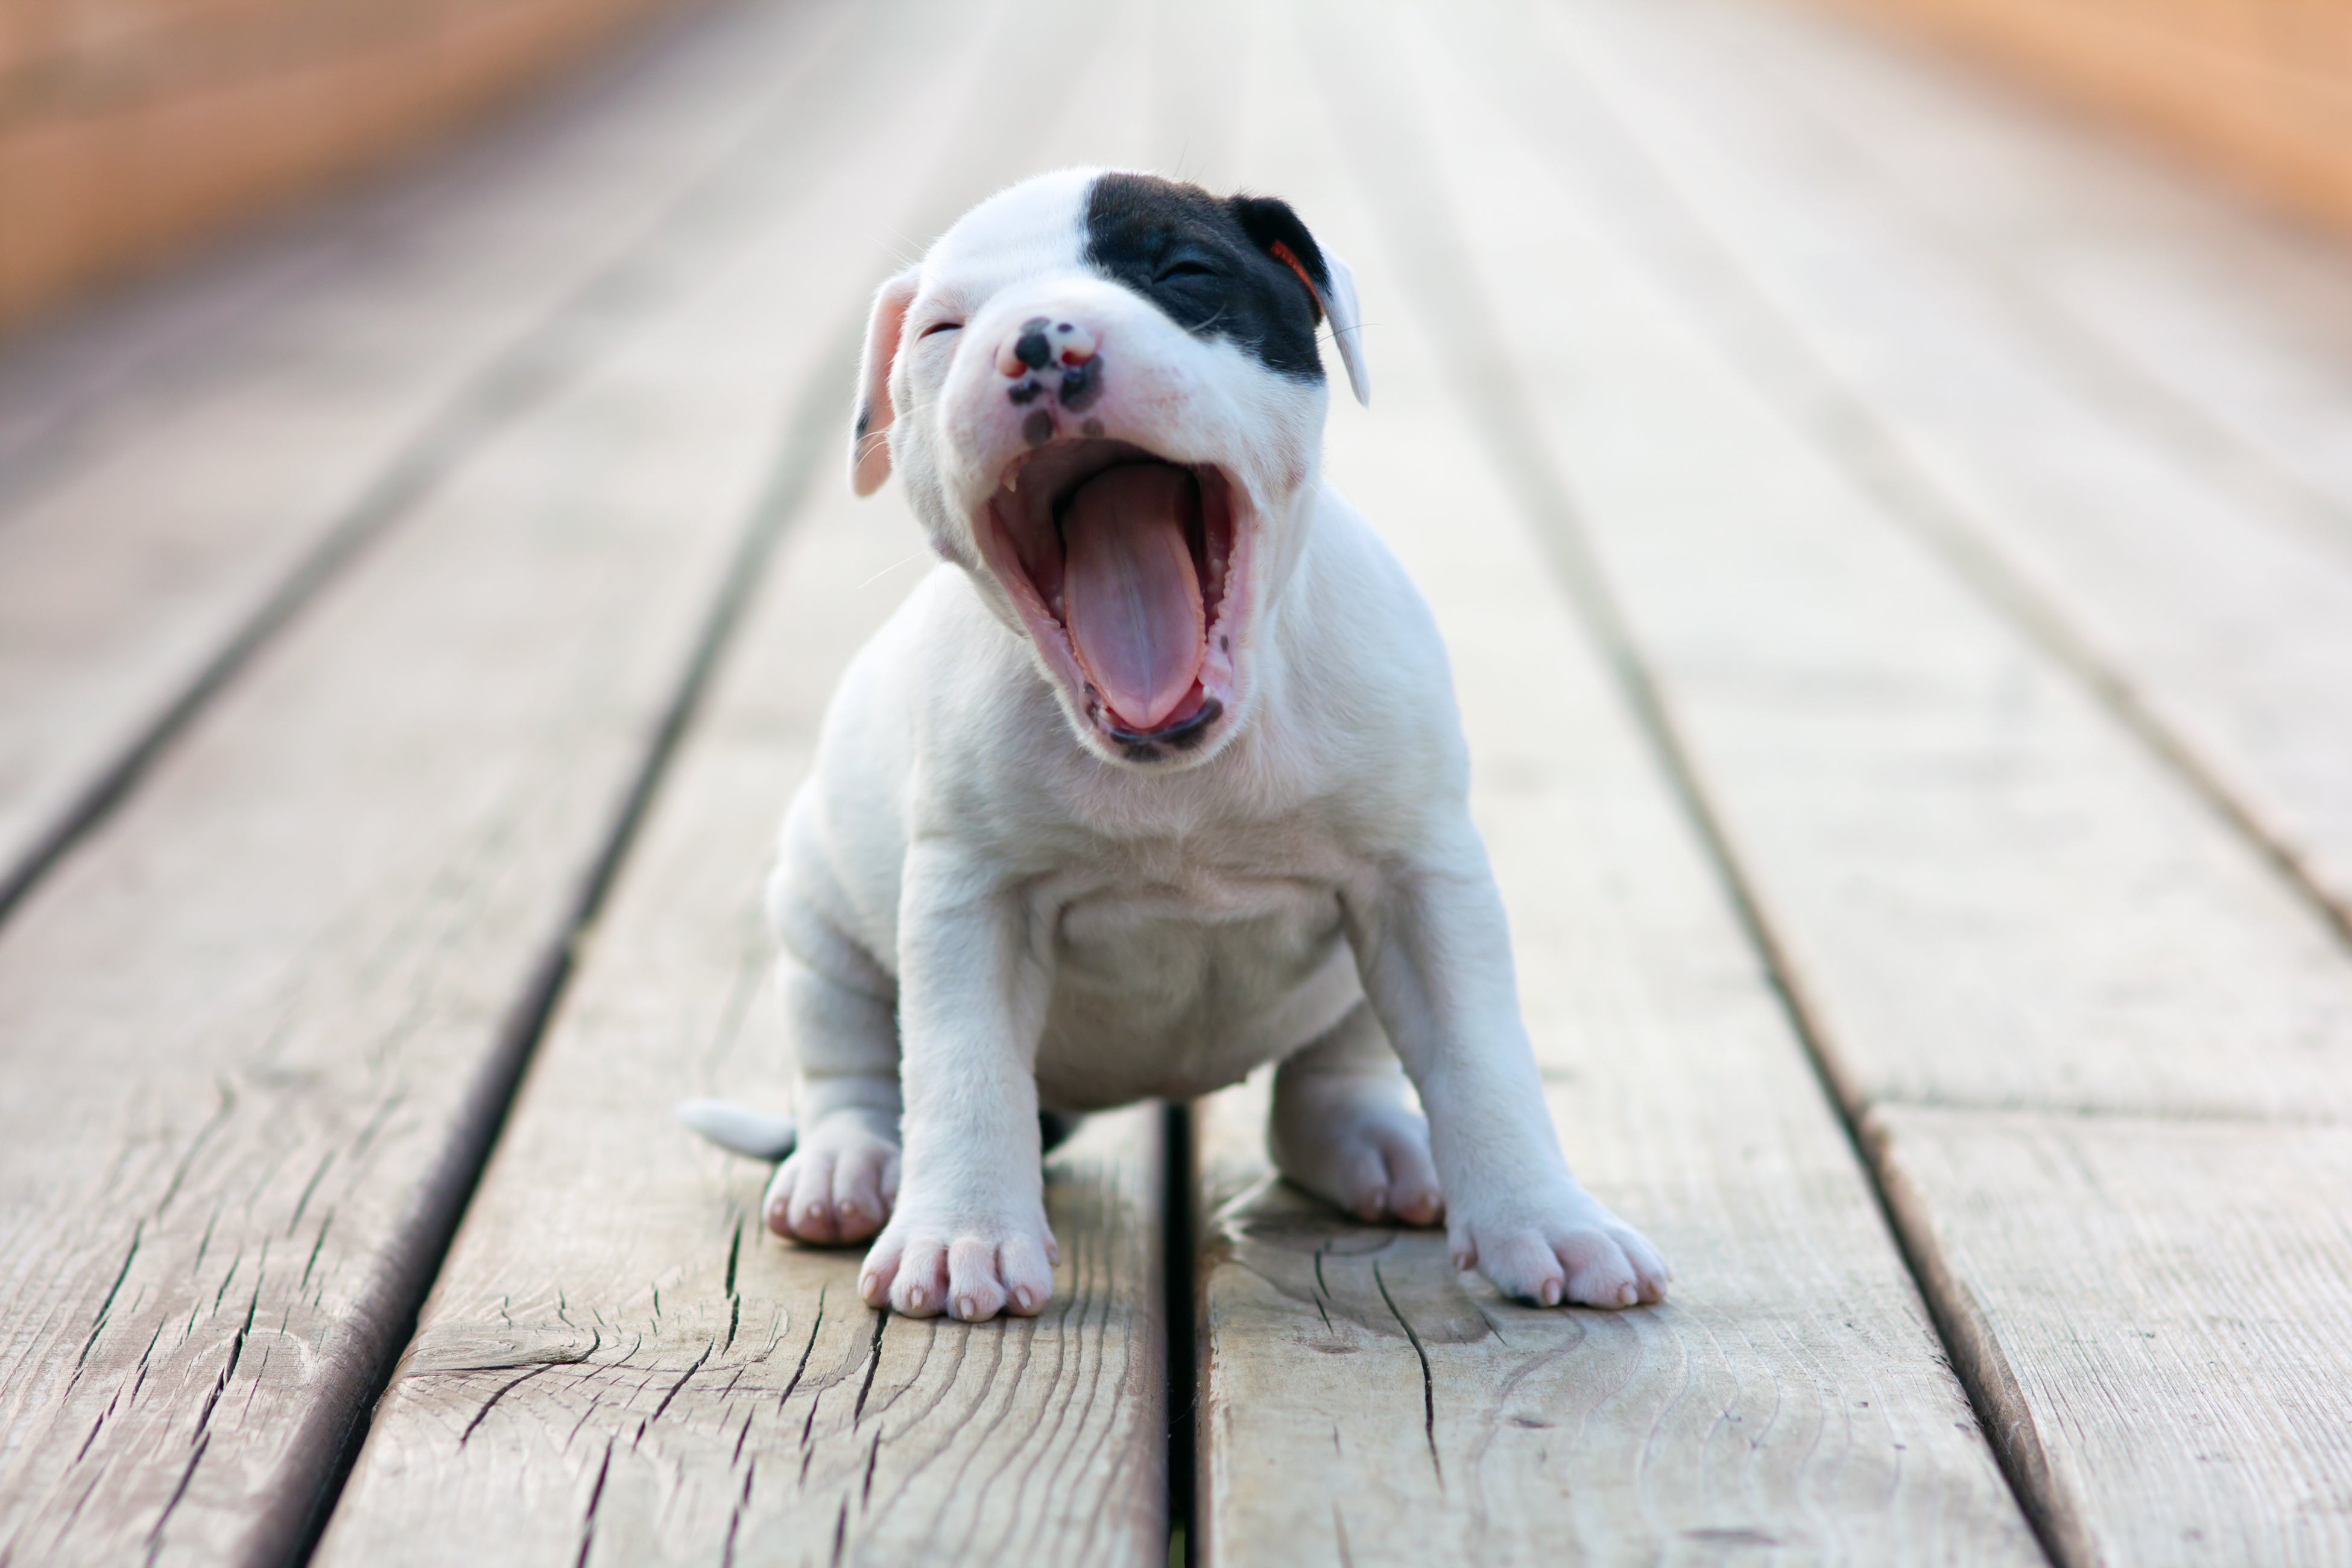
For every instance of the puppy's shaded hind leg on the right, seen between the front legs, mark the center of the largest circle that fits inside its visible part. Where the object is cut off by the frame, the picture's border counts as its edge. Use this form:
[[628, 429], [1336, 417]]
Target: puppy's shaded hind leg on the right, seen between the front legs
[[1344, 1127]]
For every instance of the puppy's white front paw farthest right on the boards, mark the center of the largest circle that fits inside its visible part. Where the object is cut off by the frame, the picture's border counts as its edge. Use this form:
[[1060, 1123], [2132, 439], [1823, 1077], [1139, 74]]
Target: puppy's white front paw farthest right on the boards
[[1558, 1249]]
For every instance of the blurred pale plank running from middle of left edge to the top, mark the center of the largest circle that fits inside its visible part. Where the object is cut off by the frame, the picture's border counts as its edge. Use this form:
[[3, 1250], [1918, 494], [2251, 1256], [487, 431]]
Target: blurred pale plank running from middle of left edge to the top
[[131, 582]]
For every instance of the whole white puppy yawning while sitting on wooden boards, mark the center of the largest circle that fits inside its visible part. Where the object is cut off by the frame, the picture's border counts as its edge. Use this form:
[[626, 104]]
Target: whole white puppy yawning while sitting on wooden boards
[[1154, 782]]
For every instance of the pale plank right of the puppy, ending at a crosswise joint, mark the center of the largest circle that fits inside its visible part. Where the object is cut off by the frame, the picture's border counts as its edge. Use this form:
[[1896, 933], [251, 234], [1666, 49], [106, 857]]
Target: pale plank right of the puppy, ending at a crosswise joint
[[1991, 890]]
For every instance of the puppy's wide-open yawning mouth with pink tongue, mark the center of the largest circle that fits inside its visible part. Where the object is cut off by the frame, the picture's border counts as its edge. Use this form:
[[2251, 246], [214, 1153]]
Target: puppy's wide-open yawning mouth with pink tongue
[[1123, 568]]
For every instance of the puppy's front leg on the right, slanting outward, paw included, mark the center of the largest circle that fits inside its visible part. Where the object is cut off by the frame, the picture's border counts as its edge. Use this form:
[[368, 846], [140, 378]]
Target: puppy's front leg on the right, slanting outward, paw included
[[1434, 949]]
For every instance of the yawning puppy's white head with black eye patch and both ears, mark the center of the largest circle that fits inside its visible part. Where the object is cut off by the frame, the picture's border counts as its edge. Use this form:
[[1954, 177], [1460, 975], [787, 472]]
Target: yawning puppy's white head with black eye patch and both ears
[[1107, 406]]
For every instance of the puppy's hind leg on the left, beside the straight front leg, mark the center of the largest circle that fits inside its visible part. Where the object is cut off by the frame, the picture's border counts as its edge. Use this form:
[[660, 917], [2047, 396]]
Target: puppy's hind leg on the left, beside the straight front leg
[[843, 1017]]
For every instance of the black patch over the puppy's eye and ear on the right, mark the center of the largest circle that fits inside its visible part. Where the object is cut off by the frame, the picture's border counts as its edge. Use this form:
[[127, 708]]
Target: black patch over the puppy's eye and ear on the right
[[1208, 262]]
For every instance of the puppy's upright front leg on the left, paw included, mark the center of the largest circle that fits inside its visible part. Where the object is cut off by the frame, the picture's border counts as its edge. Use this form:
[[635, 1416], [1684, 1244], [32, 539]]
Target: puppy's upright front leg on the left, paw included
[[975, 977]]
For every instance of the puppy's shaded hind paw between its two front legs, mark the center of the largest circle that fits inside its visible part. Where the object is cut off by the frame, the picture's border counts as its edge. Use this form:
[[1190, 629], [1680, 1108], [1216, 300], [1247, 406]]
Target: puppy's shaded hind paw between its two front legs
[[1354, 1141]]
